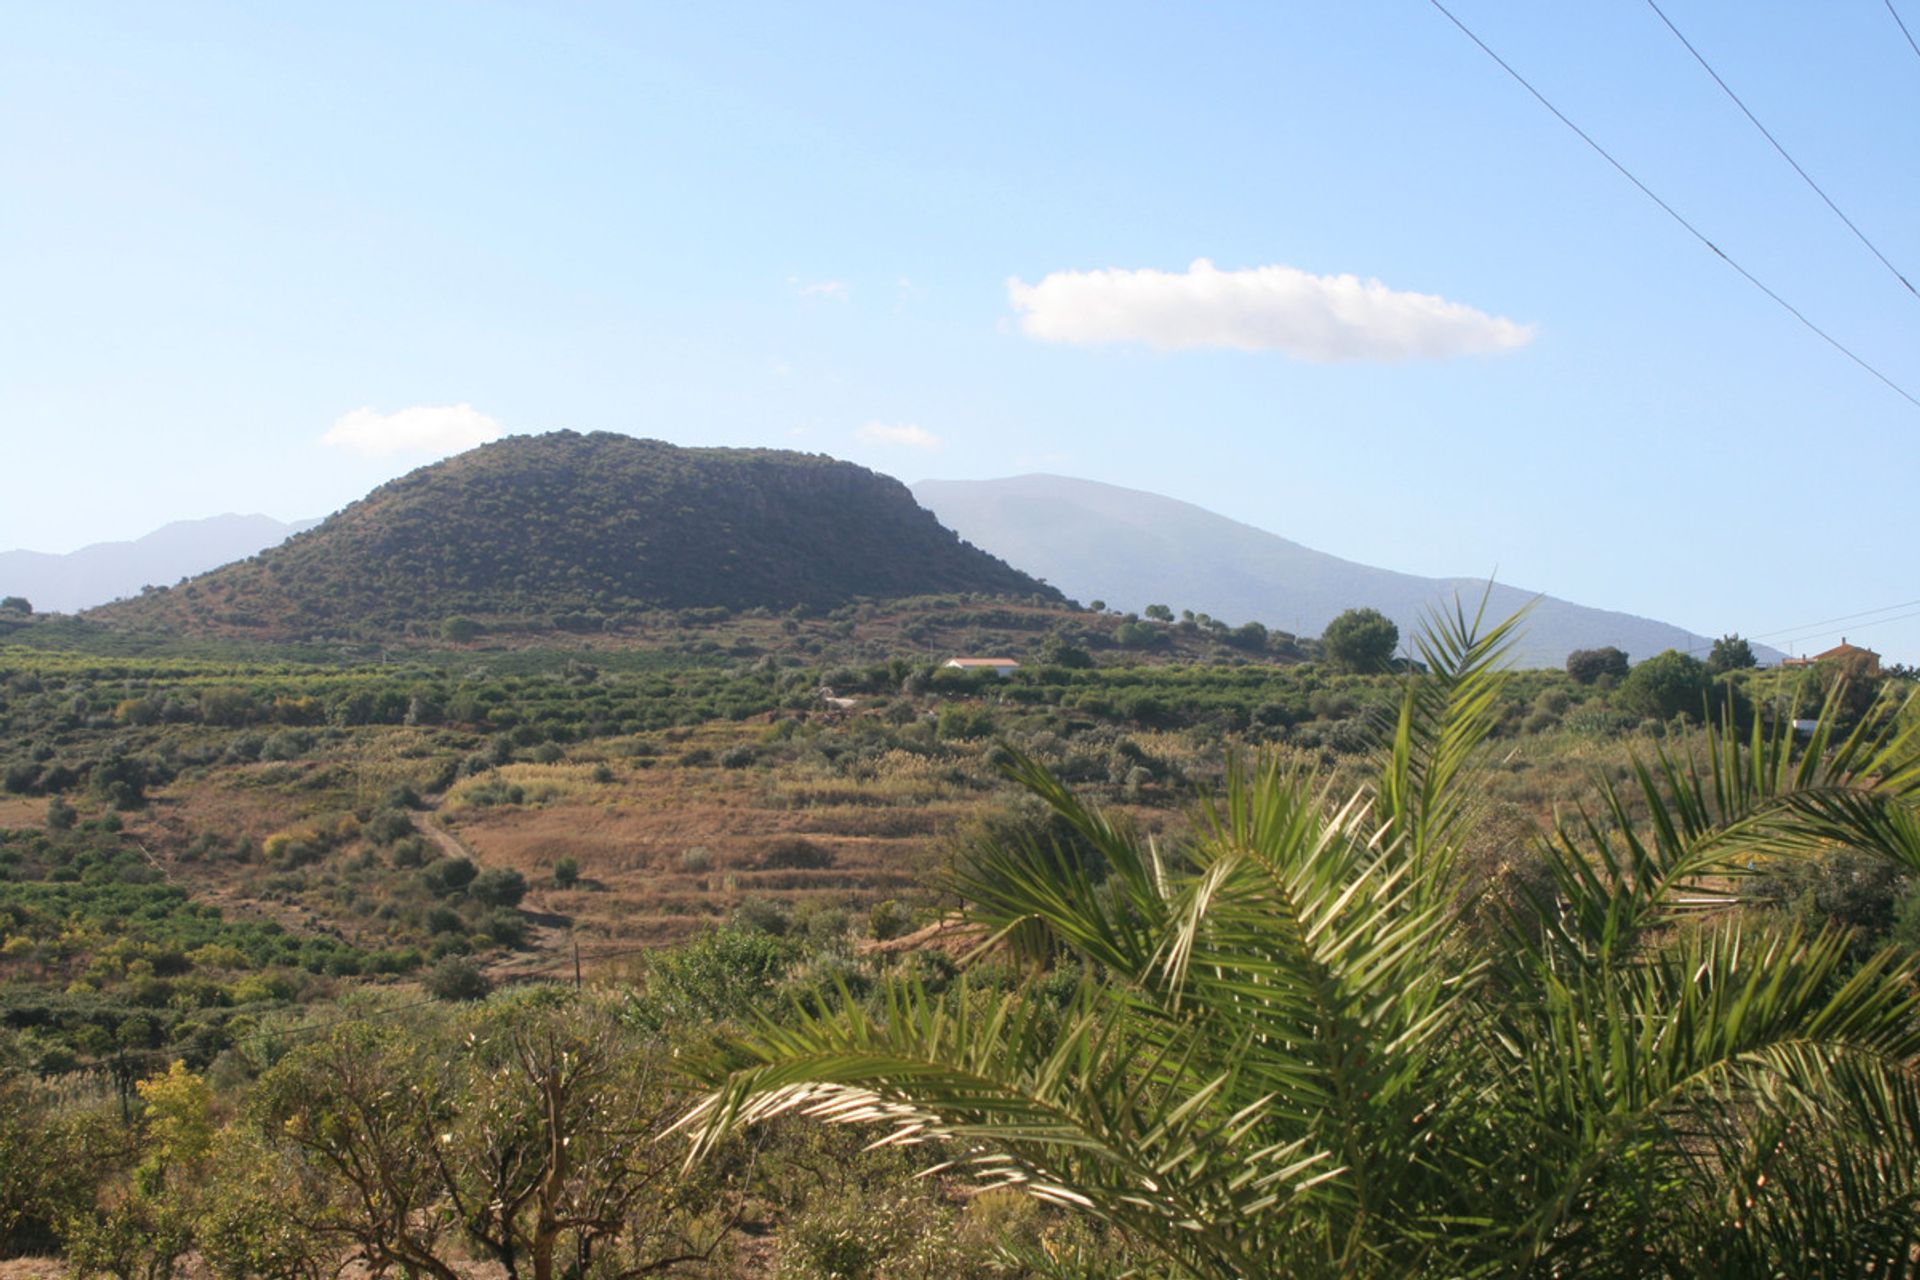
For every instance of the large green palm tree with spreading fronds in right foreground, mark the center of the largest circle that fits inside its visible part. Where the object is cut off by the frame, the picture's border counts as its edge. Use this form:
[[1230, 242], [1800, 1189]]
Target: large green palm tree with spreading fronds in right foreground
[[1297, 1058]]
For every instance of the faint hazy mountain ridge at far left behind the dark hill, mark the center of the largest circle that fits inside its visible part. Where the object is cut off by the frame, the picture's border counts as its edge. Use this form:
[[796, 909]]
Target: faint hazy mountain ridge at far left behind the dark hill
[[62, 584]]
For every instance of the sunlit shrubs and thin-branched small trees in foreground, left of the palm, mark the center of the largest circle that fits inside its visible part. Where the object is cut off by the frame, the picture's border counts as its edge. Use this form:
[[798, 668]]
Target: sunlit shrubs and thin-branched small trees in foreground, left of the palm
[[529, 1129]]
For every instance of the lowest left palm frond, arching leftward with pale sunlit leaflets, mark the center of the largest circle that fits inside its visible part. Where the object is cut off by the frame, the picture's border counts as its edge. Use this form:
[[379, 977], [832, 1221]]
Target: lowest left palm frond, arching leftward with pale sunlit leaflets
[[1082, 1114]]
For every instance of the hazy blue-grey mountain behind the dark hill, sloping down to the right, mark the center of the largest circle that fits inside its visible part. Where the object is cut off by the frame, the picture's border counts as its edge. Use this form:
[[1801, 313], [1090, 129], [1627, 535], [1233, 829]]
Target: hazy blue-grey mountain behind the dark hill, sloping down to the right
[[1134, 550]]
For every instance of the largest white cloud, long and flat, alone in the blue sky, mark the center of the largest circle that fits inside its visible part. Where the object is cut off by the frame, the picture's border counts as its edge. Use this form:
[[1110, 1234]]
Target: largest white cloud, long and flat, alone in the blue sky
[[1259, 310]]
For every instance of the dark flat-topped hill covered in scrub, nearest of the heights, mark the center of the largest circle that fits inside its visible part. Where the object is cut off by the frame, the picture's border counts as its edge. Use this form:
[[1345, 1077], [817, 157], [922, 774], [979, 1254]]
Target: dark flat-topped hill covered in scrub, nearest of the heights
[[579, 533]]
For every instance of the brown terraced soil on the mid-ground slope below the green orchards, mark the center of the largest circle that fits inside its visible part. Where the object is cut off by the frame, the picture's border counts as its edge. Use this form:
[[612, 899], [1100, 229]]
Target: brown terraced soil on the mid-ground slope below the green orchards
[[663, 849]]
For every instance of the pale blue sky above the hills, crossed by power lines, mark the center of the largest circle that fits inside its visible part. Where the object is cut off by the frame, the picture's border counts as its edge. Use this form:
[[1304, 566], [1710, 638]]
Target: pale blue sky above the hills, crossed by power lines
[[226, 231]]
